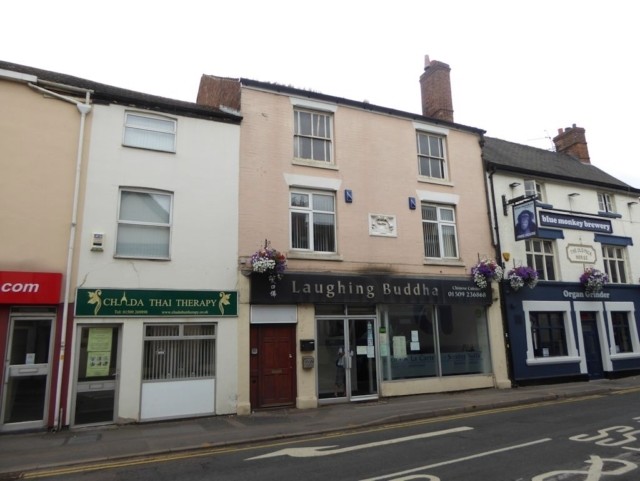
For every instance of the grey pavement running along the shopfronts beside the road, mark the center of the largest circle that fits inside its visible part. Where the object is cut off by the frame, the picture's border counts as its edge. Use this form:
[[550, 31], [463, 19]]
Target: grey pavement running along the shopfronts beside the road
[[28, 452]]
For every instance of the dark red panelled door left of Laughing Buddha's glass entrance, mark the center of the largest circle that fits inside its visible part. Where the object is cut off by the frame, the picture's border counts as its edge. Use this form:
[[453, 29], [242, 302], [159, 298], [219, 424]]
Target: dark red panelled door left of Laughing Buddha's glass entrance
[[273, 371]]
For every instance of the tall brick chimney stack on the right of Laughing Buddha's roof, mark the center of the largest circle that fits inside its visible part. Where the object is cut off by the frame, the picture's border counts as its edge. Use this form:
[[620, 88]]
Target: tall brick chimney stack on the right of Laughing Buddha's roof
[[435, 87]]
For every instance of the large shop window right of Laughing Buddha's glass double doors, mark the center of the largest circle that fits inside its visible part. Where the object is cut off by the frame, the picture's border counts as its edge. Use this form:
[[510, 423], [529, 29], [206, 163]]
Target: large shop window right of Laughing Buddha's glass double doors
[[428, 341]]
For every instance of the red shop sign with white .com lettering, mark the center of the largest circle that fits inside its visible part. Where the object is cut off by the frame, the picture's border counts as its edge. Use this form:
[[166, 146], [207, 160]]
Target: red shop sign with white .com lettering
[[30, 287]]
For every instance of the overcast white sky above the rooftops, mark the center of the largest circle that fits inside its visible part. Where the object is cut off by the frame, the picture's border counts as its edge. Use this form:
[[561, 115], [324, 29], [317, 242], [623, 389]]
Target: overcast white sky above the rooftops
[[520, 70]]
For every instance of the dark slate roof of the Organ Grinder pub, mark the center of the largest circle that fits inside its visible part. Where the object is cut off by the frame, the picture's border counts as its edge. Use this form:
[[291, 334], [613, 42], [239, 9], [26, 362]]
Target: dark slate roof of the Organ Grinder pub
[[523, 159]]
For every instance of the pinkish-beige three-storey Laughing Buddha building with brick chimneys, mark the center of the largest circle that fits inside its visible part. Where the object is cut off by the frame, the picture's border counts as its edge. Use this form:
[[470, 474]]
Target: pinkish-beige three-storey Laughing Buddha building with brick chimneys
[[381, 215]]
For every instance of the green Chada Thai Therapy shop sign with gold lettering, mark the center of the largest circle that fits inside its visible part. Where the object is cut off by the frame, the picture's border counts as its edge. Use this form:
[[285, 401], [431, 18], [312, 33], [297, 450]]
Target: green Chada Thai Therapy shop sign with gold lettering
[[155, 303]]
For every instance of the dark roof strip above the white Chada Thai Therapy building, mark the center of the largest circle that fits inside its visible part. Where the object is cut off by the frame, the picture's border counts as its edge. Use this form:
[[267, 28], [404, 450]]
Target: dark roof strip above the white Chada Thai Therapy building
[[103, 93]]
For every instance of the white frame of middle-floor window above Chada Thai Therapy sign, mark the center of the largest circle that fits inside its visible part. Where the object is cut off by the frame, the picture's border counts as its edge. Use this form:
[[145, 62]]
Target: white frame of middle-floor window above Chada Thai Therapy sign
[[142, 225]]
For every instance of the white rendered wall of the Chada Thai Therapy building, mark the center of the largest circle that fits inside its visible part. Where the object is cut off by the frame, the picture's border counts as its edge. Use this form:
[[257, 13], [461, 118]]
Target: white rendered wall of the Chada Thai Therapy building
[[203, 176]]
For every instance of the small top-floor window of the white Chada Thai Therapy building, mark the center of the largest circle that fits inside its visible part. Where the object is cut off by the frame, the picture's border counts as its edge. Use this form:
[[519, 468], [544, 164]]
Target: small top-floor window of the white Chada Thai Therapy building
[[149, 132]]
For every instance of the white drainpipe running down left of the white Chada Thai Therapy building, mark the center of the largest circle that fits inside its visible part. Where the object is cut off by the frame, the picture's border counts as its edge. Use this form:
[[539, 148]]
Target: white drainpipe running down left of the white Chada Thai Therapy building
[[84, 109]]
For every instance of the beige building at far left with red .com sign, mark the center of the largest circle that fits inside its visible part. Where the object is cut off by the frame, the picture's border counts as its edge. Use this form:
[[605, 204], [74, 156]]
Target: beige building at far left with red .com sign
[[43, 132]]
